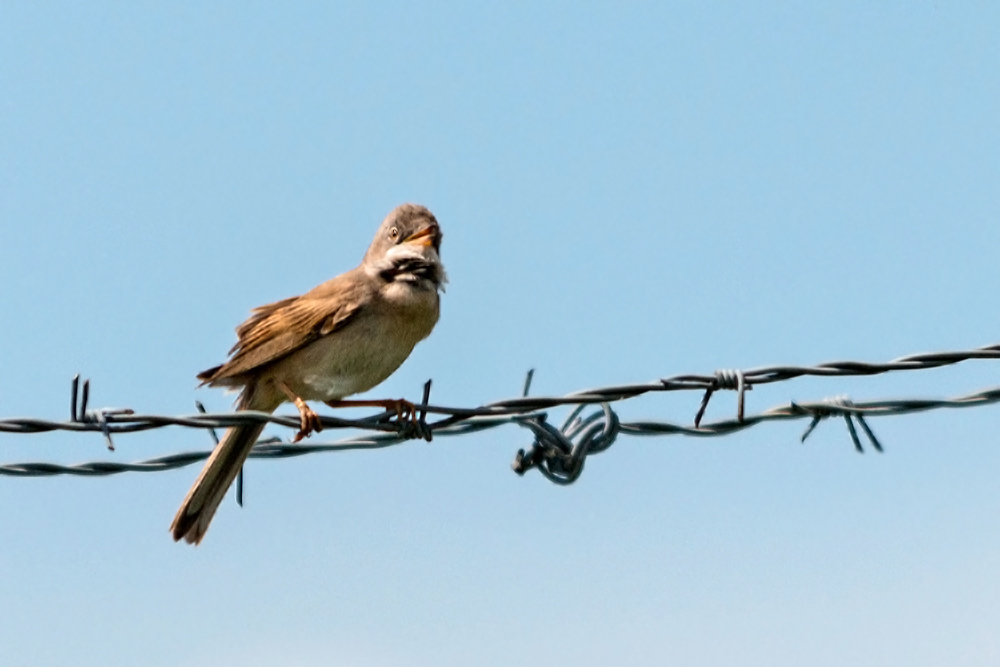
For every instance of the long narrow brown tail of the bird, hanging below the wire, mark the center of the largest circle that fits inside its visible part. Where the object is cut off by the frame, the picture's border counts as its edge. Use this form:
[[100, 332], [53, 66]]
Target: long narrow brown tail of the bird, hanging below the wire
[[220, 470]]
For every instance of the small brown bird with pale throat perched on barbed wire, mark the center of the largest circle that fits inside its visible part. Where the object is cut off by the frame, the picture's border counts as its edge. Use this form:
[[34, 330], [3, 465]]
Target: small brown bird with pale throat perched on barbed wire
[[341, 338]]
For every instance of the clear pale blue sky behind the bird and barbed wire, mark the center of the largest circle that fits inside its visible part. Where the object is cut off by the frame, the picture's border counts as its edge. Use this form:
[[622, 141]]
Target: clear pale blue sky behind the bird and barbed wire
[[627, 191]]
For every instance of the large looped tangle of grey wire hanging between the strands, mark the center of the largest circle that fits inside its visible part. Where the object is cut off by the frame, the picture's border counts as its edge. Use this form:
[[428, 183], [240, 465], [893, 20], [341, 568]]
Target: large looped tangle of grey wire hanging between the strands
[[559, 454]]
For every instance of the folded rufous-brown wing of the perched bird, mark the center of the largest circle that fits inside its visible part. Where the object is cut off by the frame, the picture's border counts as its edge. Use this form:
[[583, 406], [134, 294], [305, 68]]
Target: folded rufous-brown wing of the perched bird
[[280, 328]]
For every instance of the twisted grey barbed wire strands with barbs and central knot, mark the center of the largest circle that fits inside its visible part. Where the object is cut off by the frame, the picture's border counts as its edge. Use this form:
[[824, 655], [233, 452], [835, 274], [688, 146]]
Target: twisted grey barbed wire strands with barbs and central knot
[[558, 453]]
